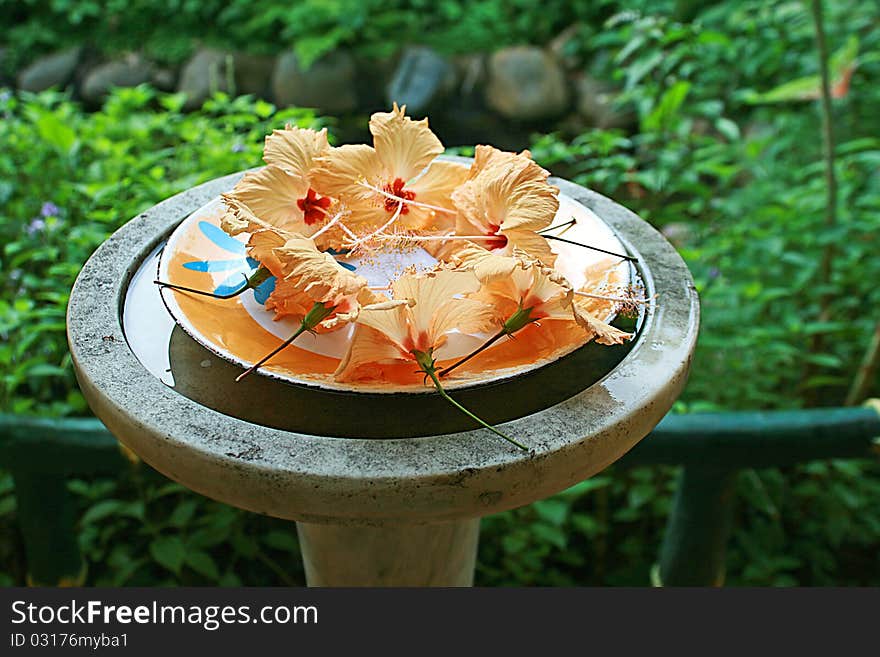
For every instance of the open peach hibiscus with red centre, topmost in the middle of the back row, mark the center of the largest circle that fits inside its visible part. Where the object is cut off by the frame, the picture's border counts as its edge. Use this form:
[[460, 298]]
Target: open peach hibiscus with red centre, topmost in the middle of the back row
[[394, 181]]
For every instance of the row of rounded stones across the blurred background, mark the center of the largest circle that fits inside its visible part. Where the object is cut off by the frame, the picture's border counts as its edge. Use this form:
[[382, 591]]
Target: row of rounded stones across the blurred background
[[500, 97]]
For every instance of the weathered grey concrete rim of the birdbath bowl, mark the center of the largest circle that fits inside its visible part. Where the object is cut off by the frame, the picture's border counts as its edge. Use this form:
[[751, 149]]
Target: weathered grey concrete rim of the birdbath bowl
[[317, 479]]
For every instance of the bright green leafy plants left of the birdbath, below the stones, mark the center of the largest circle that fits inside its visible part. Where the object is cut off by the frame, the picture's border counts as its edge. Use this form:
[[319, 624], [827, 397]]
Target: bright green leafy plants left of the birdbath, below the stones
[[68, 180]]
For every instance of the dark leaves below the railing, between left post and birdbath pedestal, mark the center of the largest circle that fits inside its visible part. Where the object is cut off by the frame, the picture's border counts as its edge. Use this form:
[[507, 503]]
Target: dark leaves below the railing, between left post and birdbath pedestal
[[141, 530]]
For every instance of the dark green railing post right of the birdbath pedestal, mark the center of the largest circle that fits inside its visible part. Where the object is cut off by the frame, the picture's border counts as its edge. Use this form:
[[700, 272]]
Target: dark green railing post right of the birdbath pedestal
[[695, 542]]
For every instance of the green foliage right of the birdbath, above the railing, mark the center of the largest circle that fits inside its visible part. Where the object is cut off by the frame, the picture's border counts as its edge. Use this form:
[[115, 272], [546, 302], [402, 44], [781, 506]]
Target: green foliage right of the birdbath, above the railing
[[741, 191]]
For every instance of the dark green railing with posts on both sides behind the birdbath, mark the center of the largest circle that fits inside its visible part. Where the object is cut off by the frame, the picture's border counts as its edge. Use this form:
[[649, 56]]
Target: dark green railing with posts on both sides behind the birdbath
[[42, 454]]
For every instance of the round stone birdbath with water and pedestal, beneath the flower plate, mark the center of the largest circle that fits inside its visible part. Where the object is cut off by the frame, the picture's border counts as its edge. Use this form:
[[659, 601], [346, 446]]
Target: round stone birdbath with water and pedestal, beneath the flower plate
[[370, 510]]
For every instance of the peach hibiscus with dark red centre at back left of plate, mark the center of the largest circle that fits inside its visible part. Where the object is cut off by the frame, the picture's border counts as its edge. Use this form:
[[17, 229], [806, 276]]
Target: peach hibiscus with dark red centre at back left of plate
[[281, 195]]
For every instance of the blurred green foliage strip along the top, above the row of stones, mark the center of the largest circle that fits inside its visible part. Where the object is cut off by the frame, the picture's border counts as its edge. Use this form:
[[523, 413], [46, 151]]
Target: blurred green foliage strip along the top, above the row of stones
[[168, 30]]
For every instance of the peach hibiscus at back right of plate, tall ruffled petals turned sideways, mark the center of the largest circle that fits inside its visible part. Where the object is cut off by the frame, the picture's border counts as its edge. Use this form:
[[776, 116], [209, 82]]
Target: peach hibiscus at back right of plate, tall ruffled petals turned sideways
[[507, 200]]
